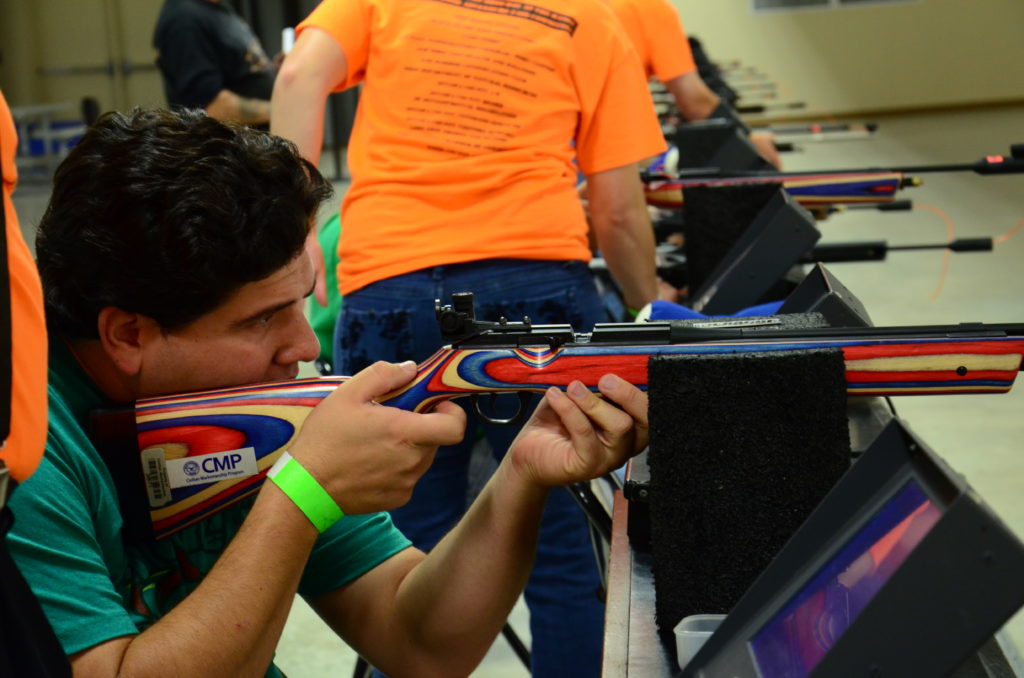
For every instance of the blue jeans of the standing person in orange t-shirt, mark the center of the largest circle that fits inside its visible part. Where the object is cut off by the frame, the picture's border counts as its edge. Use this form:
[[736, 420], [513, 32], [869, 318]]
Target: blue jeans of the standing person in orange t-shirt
[[394, 320]]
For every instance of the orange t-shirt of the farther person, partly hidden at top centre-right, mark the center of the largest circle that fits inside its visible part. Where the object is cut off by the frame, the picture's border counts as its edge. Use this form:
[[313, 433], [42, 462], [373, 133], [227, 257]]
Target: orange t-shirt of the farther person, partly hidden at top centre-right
[[658, 35]]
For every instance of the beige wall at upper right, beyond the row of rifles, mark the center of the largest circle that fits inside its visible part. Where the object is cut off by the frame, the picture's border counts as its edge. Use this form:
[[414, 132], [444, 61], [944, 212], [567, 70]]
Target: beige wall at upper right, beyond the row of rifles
[[929, 54]]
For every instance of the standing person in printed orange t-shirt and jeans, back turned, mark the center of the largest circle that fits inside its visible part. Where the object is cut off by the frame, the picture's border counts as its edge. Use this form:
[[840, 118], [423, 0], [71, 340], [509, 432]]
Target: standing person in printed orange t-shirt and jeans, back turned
[[473, 123]]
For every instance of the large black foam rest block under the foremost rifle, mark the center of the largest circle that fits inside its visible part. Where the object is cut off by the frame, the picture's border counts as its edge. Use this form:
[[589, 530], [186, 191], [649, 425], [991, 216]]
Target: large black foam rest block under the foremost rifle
[[743, 449]]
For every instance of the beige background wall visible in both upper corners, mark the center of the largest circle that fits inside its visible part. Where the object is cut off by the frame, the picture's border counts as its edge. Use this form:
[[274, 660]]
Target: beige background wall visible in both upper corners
[[906, 56]]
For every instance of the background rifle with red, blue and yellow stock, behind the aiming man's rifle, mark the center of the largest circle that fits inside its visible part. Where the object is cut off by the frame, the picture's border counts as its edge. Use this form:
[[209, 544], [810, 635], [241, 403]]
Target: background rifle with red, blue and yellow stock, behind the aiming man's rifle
[[821, 187]]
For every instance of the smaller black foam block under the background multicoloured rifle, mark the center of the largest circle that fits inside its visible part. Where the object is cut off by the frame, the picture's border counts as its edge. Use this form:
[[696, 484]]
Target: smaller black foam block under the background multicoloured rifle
[[714, 219]]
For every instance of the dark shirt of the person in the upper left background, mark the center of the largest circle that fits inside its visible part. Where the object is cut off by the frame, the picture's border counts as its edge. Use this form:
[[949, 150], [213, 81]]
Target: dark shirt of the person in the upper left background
[[205, 48]]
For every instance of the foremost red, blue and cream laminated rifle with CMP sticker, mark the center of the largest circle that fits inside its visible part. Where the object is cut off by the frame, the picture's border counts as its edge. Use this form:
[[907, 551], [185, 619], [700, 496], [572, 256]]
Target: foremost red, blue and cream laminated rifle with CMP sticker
[[251, 427]]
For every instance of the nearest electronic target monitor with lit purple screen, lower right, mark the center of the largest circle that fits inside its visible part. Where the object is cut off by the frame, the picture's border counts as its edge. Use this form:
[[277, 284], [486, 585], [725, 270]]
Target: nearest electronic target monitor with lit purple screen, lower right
[[902, 571]]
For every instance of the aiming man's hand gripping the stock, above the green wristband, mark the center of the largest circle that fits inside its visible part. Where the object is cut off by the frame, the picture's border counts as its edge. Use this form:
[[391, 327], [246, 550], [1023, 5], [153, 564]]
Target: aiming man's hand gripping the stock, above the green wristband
[[369, 456]]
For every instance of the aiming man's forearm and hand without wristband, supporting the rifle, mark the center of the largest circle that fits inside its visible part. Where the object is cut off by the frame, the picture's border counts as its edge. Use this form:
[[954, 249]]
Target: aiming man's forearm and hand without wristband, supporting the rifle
[[460, 596]]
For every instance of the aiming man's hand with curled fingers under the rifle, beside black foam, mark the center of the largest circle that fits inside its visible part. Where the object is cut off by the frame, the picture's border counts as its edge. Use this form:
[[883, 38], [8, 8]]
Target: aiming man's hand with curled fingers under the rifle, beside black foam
[[576, 436]]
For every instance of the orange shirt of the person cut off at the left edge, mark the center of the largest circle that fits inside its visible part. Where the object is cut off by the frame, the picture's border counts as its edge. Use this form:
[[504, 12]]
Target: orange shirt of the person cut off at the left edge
[[28, 411]]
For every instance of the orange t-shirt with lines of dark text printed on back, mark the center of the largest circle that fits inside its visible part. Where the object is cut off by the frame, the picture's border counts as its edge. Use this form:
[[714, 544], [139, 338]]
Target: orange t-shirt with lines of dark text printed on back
[[470, 120]]
